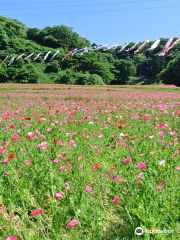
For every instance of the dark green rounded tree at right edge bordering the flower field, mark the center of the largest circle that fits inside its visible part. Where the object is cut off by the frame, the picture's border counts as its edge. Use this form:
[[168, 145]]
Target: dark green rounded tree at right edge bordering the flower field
[[171, 74]]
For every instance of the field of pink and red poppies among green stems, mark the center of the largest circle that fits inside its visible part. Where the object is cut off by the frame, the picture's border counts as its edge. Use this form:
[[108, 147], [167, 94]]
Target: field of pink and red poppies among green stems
[[89, 162]]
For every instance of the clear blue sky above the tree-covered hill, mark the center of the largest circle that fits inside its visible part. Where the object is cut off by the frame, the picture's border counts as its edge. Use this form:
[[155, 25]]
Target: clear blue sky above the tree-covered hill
[[101, 21]]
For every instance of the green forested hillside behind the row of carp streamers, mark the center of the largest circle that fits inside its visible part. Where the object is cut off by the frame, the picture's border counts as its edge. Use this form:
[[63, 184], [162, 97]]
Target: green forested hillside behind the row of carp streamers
[[98, 67]]
